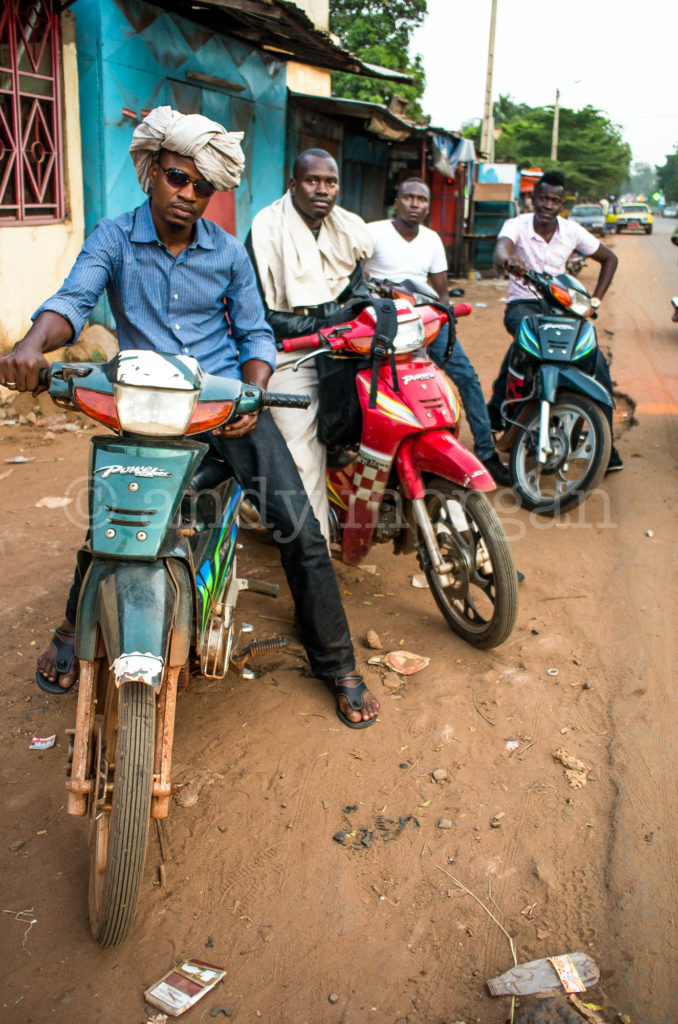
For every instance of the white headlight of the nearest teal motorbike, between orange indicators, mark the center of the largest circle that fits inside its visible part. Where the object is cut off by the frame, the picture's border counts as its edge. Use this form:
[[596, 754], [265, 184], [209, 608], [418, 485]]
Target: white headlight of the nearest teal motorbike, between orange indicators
[[154, 412]]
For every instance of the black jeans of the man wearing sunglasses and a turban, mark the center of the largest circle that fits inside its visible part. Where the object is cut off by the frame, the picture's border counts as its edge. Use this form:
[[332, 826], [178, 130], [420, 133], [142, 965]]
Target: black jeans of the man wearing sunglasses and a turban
[[263, 465]]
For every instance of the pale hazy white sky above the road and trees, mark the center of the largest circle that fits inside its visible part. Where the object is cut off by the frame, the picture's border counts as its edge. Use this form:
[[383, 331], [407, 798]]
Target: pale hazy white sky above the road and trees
[[596, 52]]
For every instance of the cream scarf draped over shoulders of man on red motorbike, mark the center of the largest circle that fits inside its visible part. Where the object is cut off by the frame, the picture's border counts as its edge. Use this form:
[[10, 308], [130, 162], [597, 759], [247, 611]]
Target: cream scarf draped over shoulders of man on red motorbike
[[295, 269]]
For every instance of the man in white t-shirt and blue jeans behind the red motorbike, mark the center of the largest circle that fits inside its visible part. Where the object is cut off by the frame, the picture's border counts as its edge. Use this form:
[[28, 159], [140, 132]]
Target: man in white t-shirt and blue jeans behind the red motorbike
[[405, 249]]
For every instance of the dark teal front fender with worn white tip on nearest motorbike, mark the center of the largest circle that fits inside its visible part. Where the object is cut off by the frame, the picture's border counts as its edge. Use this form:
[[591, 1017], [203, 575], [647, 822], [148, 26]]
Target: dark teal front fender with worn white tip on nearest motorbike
[[144, 612]]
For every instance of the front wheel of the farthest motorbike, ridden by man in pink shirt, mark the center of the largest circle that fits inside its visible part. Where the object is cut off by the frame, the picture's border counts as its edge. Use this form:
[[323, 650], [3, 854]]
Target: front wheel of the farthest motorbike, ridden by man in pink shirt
[[568, 494]]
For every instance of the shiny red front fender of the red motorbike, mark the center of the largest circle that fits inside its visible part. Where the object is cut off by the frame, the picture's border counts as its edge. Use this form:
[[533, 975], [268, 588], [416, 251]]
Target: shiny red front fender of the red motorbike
[[440, 453]]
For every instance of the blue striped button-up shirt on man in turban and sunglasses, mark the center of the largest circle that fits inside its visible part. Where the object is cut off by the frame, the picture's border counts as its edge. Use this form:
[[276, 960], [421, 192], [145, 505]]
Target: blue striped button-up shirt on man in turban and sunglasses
[[167, 304]]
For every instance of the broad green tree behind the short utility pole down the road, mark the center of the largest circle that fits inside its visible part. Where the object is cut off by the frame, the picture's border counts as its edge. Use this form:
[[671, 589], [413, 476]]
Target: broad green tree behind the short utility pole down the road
[[592, 153]]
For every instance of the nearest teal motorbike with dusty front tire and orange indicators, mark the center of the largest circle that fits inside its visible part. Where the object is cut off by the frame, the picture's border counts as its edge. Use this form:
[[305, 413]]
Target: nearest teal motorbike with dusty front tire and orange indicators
[[158, 599]]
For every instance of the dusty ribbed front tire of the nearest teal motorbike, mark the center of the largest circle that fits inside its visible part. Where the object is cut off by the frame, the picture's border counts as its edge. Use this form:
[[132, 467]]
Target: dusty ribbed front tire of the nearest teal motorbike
[[118, 842]]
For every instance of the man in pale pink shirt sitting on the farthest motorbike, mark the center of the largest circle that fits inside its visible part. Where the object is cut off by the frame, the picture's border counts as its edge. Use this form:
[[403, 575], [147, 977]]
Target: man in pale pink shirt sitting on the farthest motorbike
[[543, 241]]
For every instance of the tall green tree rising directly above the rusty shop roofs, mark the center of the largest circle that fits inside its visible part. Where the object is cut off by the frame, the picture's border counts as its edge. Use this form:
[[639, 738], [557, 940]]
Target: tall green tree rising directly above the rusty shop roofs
[[379, 33]]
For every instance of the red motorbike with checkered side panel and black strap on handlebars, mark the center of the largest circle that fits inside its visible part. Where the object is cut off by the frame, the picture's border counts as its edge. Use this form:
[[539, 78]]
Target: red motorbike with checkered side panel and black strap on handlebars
[[407, 478]]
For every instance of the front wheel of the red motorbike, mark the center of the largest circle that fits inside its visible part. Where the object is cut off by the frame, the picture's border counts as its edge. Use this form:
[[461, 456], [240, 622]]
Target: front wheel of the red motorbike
[[482, 605]]
